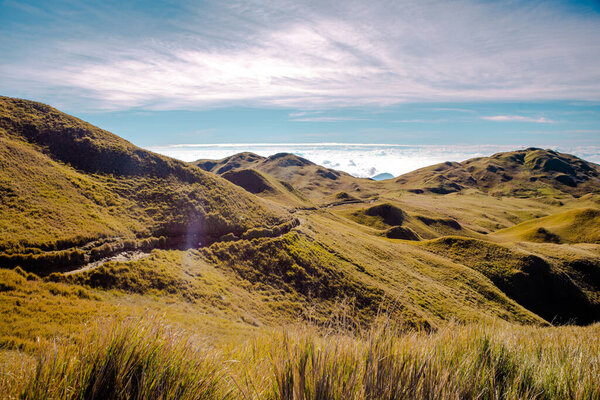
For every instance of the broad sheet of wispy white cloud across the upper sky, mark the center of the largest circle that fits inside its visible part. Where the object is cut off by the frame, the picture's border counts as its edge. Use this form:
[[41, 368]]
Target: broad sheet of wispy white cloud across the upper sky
[[322, 54]]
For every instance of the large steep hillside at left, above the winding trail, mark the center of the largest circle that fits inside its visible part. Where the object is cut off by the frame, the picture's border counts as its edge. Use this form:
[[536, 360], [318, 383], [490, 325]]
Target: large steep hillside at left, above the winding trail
[[71, 191]]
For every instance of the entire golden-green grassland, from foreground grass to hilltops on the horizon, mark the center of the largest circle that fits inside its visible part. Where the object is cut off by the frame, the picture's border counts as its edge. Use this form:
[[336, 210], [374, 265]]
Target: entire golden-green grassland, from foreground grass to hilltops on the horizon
[[125, 274]]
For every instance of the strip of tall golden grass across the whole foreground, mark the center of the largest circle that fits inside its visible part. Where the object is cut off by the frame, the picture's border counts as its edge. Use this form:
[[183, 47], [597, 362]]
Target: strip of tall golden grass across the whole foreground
[[150, 360]]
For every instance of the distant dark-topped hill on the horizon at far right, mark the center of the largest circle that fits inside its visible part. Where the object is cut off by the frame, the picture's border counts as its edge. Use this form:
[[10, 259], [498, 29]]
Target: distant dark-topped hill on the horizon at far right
[[528, 172]]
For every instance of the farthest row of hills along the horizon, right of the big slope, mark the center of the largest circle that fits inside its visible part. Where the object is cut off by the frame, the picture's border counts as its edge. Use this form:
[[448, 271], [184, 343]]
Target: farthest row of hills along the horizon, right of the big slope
[[528, 173]]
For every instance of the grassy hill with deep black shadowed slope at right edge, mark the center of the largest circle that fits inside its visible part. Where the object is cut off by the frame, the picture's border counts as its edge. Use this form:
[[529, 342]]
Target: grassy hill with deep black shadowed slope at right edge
[[547, 288]]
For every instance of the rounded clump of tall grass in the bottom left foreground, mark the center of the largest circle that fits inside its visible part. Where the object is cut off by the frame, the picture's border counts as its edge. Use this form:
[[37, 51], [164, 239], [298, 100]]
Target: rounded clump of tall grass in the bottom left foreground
[[125, 361]]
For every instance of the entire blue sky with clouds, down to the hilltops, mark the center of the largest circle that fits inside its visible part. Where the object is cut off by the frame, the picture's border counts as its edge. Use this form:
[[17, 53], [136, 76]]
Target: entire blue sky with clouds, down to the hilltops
[[423, 79]]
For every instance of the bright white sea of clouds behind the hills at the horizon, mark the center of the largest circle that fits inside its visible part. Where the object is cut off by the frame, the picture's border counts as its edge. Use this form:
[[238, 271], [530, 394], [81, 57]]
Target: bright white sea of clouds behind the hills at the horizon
[[361, 160]]
